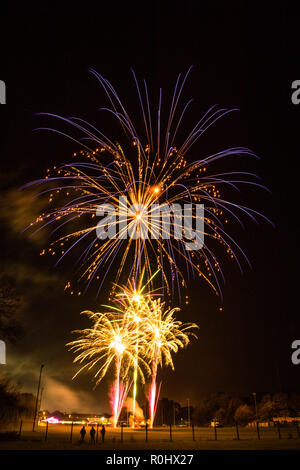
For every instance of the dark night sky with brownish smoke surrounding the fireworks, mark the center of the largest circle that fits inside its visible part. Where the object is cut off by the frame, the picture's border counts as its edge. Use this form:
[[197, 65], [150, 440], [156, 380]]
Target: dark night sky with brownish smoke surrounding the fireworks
[[244, 56]]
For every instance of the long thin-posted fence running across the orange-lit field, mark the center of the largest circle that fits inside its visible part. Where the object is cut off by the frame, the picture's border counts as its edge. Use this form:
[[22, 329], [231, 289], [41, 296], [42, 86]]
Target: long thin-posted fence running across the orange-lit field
[[71, 432]]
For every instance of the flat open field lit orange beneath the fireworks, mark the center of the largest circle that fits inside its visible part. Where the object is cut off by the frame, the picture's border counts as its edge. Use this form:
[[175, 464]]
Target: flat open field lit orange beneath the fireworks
[[59, 437]]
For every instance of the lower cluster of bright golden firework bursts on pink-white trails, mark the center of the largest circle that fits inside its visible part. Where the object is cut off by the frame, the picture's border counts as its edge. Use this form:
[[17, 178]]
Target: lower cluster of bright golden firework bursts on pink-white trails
[[137, 335]]
